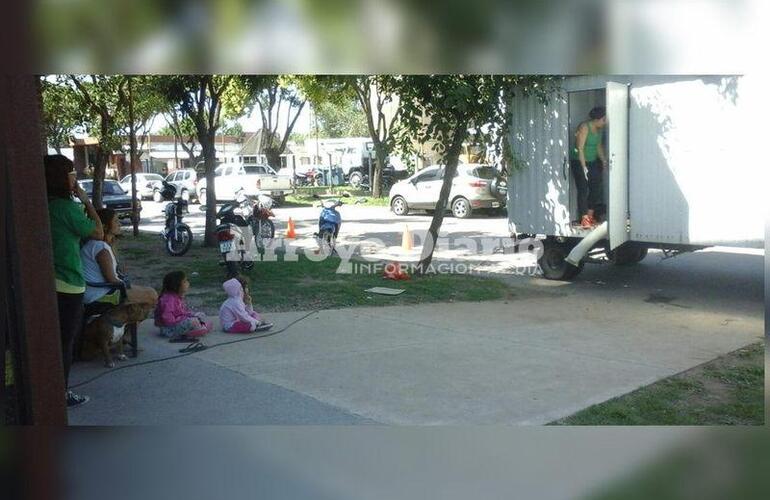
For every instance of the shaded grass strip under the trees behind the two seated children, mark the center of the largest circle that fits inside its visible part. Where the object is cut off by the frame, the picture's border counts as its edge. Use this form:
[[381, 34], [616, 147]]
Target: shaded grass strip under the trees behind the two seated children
[[301, 285]]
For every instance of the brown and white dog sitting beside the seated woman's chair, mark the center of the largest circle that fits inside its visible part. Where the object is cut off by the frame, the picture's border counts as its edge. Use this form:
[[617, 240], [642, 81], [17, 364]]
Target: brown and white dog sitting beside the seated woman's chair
[[107, 329]]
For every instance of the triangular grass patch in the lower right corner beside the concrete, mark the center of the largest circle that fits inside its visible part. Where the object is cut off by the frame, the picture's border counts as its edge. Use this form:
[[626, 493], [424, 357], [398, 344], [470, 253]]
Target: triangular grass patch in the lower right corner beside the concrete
[[726, 391]]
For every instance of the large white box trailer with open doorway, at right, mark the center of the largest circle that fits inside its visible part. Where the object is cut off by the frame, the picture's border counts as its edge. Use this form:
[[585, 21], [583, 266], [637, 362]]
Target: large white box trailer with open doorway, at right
[[684, 171]]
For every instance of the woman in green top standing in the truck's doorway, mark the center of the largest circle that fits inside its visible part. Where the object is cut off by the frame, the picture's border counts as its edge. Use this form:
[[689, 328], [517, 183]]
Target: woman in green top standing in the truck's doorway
[[587, 162]]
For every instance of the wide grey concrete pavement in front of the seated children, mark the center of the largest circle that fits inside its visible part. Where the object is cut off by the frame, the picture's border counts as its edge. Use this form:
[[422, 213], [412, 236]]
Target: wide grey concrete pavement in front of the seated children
[[544, 354]]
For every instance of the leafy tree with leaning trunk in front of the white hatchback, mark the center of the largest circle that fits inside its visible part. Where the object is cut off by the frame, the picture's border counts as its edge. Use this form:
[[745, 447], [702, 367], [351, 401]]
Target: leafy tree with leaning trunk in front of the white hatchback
[[444, 110]]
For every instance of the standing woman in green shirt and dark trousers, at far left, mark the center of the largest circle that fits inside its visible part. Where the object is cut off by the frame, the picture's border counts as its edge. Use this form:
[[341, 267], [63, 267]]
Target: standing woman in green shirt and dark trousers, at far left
[[68, 226]]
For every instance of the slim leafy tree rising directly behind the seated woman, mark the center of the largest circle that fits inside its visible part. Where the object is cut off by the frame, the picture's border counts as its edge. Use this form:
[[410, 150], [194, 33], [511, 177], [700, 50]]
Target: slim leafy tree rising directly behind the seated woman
[[103, 100]]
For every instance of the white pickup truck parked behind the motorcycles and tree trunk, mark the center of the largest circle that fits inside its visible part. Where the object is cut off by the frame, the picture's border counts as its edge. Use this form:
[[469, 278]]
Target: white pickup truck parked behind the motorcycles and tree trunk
[[253, 179]]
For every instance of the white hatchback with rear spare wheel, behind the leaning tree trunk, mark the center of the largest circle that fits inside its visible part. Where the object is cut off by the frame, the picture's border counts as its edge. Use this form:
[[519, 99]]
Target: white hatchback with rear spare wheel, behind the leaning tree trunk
[[475, 186]]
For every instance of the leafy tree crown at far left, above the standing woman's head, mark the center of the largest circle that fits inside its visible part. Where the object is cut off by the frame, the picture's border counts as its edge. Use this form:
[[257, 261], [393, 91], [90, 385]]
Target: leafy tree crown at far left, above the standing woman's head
[[62, 113]]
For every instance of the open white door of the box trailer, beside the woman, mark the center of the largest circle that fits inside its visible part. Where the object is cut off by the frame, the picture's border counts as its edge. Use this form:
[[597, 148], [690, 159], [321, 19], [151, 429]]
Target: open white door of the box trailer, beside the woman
[[618, 216]]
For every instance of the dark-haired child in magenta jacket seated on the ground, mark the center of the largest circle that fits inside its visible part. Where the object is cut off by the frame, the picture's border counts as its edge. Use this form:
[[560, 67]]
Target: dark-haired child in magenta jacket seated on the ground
[[175, 319]]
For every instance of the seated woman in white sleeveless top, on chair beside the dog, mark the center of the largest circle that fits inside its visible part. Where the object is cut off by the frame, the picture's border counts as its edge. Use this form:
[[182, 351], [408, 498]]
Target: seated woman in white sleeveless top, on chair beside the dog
[[101, 266]]
